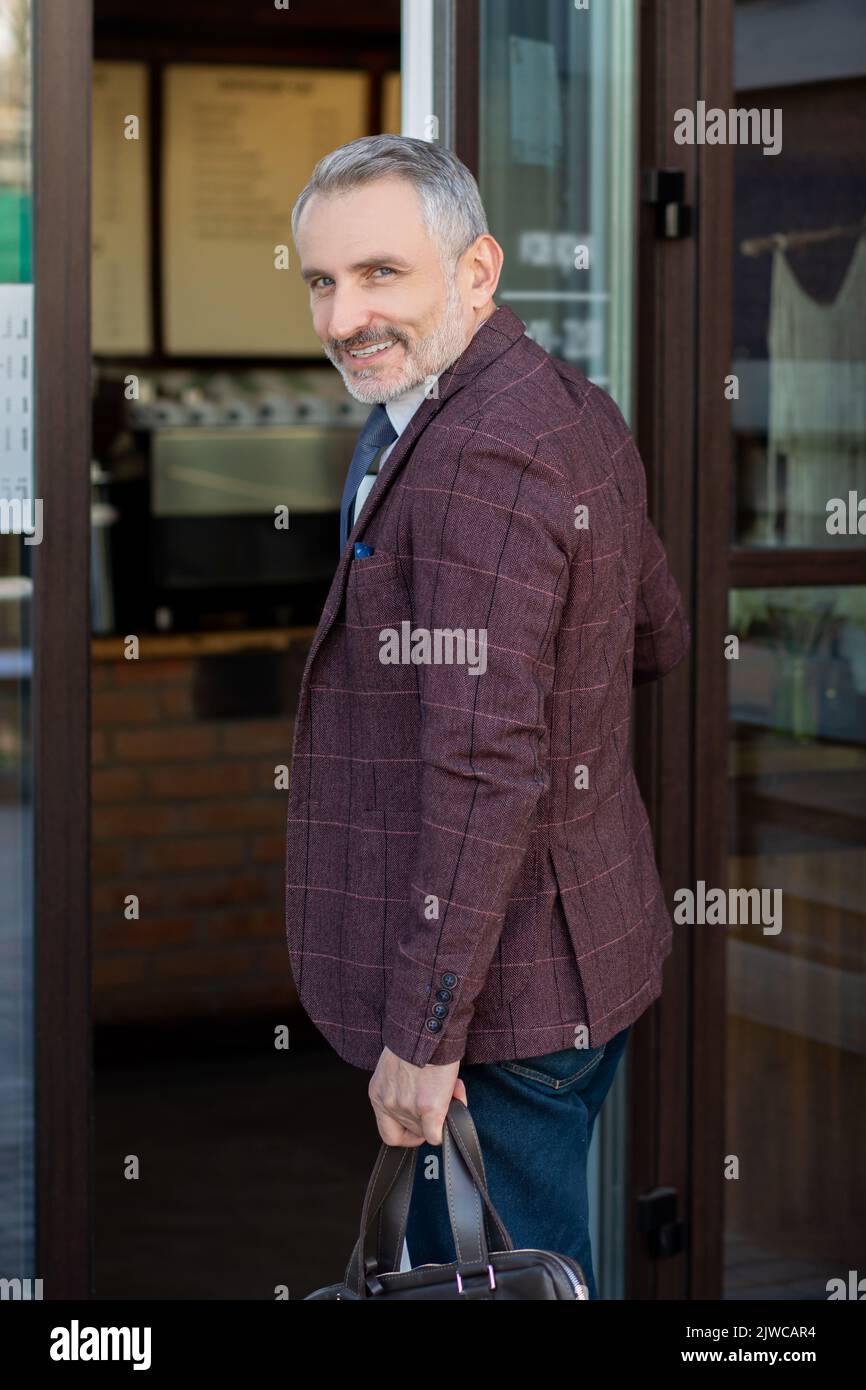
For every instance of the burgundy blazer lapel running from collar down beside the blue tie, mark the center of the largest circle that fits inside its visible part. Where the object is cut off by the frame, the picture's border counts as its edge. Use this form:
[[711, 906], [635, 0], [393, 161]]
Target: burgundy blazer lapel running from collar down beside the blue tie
[[496, 337]]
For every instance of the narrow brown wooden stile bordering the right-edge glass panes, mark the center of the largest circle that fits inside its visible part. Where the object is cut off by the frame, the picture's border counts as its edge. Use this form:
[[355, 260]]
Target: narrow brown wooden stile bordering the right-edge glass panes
[[710, 765]]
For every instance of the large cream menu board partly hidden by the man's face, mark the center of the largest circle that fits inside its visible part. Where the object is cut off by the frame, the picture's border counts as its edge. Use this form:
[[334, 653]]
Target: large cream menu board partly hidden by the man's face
[[240, 147]]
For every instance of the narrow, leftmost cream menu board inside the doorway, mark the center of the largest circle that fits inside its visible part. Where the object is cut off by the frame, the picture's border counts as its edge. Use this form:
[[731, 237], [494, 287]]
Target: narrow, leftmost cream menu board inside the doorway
[[120, 287]]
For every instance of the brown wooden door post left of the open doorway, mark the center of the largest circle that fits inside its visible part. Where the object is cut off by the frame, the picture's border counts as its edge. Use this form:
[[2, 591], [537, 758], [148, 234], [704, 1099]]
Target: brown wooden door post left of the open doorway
[[62, 35]]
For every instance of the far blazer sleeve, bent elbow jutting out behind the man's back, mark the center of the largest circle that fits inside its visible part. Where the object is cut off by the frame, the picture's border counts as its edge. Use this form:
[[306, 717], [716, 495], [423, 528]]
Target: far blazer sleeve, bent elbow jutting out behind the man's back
[[662, 635]]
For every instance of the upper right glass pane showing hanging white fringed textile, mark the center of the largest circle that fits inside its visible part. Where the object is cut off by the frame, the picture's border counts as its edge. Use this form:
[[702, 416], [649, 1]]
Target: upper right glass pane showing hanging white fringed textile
[[800, 277]]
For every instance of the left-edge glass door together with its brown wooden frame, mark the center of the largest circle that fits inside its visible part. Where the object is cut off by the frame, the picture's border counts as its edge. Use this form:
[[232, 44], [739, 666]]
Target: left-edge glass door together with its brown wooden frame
[[45, 501]]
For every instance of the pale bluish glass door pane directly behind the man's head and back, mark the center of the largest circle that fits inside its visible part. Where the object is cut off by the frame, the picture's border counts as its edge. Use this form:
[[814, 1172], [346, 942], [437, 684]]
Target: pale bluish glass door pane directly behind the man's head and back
[[557, 170]]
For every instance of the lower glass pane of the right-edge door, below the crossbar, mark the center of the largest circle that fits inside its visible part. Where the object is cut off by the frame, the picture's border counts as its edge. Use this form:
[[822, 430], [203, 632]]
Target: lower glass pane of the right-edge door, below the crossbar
[[797, 1033]]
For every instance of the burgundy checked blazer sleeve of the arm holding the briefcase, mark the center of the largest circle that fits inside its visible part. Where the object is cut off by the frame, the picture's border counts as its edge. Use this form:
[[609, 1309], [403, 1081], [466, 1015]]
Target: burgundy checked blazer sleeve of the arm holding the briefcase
[[491, 555]]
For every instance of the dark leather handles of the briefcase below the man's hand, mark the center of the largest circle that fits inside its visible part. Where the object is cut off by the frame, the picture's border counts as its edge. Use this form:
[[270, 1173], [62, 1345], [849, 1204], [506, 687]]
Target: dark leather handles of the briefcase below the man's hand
[[475, 1221]]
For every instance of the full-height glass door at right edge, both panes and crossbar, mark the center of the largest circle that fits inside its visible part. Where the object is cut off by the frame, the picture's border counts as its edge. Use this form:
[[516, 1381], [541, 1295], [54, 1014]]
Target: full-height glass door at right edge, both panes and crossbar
[[796, 1124]]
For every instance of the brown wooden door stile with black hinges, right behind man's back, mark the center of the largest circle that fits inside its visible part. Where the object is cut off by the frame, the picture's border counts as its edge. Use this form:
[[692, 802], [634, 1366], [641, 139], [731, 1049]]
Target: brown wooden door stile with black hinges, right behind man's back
[[665, 430]]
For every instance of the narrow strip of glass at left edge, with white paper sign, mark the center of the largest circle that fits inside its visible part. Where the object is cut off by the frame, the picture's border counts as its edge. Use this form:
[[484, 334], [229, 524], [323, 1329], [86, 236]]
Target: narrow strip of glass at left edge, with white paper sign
[[17, 540]]
